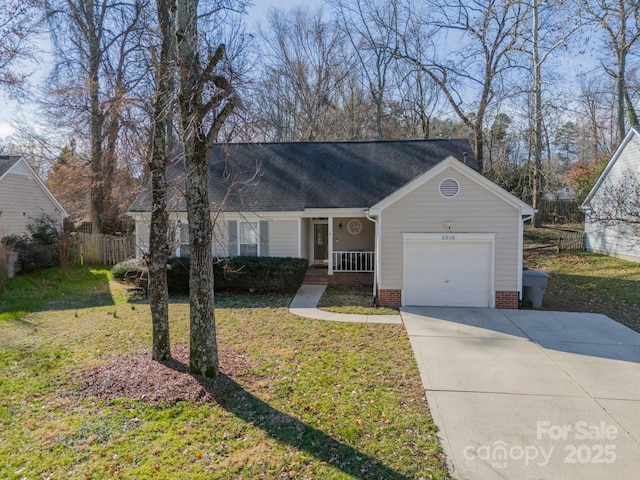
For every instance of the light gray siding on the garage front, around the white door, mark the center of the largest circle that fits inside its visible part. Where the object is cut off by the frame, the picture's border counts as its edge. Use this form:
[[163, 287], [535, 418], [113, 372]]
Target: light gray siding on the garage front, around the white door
[[473, 210]]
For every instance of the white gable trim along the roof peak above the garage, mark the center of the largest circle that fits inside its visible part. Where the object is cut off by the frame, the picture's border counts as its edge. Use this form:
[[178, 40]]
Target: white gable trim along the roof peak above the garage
[[460, 167]]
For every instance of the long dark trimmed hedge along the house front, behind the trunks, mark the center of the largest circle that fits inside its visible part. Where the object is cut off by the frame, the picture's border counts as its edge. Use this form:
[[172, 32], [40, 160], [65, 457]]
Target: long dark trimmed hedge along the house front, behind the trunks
[[236, 274]]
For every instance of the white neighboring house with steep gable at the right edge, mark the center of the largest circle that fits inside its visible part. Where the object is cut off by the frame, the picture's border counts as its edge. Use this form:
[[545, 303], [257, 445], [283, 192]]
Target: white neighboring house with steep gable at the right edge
[[612, 208]]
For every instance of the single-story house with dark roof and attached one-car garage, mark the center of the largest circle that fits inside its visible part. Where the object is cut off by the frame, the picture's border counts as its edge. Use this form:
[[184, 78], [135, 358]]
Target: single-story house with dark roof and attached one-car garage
[[415, 216]]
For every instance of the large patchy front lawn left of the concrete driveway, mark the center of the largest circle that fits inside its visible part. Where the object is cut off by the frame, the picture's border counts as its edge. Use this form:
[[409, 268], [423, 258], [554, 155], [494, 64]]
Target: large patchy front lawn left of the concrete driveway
[[297, 399]]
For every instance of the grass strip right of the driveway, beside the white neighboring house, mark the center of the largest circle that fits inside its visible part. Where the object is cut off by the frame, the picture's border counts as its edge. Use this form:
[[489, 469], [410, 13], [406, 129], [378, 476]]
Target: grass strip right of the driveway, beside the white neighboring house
[[587, 282]]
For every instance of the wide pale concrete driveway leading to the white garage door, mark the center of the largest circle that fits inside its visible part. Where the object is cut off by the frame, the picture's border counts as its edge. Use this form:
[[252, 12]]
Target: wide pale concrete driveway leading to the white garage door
[[530, 395]]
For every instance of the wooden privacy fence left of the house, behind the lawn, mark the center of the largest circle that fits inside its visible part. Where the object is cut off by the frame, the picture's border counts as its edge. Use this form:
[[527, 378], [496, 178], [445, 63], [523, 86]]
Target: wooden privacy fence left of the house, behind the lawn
[[98, 249]]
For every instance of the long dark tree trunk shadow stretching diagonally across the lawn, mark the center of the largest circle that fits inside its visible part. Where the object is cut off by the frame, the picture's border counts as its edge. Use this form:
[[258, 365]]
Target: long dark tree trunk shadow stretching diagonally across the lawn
[[289, 430]]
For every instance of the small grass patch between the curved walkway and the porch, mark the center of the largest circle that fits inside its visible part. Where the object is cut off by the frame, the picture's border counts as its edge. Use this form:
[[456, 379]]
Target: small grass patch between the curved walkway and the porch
[[352, 300]]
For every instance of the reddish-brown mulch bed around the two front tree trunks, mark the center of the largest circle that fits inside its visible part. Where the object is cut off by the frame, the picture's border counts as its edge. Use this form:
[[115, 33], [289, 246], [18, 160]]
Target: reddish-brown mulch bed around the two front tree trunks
[[138, 377]]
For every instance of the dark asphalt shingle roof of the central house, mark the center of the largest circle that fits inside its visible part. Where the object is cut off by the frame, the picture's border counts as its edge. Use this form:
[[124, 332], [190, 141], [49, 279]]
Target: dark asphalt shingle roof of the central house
[[271, 177]]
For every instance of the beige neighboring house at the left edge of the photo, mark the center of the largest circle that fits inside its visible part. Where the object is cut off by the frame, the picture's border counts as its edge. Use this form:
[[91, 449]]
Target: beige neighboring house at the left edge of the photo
[[23, 197]]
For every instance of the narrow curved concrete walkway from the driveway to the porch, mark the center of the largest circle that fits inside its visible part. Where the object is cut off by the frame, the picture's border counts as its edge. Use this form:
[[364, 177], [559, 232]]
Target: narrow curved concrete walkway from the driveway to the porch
[[306, 300]]
